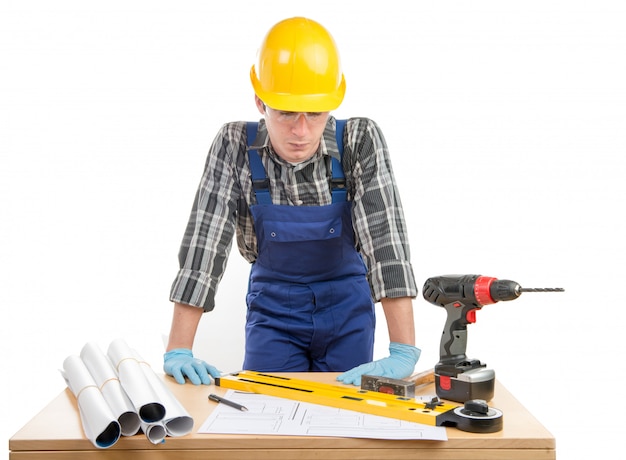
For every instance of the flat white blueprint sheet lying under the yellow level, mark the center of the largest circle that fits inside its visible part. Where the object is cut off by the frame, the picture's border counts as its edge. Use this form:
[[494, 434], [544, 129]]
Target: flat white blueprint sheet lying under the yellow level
[[269, 415]]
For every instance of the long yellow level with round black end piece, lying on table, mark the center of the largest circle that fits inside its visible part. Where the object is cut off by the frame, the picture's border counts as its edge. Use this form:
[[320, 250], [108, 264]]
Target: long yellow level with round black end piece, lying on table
[[475, 417]]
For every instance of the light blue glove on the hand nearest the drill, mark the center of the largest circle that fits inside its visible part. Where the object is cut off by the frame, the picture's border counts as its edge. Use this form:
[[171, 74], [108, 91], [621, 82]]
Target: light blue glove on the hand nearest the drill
[[401, 363]]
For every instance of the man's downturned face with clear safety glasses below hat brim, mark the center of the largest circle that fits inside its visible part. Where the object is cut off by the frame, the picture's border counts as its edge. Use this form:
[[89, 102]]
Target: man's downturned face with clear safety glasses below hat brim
[[295, 136]]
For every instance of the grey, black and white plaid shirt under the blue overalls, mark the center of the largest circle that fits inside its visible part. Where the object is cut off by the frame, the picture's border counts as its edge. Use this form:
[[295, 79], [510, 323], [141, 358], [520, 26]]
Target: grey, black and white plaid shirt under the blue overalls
[[221, 208]]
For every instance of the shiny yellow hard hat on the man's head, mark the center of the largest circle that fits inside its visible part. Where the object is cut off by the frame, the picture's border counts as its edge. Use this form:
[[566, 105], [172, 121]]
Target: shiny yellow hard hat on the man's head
[[298, 68]]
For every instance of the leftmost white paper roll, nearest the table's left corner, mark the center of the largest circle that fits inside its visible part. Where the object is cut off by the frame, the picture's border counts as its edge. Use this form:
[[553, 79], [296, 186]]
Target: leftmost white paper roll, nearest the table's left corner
[[99, 423]]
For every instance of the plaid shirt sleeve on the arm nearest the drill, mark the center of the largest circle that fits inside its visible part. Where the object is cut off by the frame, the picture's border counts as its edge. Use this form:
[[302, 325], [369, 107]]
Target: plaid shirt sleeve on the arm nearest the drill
[[378, 216]]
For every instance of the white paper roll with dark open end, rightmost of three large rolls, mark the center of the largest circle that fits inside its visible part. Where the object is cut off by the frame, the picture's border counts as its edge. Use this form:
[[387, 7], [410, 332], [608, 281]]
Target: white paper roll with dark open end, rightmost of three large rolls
[[134, 382]]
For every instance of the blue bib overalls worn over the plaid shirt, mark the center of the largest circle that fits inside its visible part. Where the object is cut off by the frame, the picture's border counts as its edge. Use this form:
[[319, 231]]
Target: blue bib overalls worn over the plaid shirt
[[309, 302]]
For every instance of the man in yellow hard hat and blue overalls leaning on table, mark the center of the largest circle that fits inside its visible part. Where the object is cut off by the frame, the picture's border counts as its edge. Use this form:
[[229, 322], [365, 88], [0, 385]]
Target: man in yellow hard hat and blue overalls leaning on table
[[319, 259]]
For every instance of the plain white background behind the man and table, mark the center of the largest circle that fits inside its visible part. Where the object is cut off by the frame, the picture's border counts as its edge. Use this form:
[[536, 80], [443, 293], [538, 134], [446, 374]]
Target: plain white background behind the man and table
[[506, 122]]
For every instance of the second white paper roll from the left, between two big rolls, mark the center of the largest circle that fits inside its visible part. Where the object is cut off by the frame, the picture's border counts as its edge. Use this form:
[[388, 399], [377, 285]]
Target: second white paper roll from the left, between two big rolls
[[106, 379]]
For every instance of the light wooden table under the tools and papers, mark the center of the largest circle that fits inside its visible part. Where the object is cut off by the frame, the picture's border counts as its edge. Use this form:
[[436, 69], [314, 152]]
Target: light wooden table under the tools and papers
[[56, 434]]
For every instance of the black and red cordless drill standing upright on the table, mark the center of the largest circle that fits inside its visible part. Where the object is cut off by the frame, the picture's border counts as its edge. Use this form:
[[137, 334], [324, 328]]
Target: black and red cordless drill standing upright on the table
[[458, 378]]
